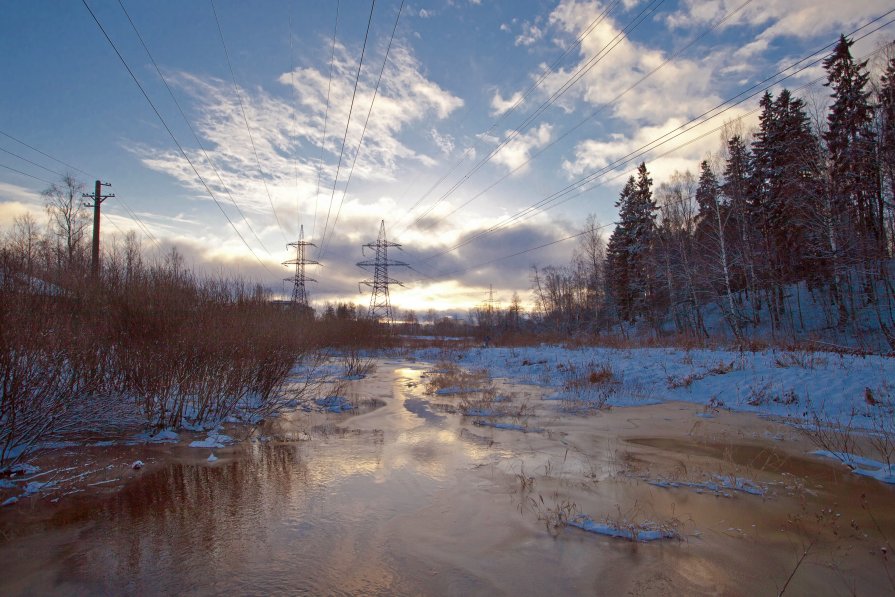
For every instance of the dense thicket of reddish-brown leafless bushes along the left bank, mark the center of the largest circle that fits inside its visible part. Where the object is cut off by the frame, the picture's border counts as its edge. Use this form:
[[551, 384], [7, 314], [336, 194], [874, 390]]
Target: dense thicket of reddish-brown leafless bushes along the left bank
[[141, 343]]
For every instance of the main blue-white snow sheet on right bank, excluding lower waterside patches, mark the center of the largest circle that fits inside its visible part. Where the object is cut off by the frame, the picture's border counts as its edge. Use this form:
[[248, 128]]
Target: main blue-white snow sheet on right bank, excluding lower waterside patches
[[771, 382]]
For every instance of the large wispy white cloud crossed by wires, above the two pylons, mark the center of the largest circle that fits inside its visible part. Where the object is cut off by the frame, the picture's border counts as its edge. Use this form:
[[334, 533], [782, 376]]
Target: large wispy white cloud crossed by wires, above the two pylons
[[288, 141]]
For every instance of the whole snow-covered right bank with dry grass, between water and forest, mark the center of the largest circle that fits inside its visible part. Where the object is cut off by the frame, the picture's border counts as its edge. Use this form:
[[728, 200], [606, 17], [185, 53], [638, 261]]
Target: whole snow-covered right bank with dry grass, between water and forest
[[826, 394]]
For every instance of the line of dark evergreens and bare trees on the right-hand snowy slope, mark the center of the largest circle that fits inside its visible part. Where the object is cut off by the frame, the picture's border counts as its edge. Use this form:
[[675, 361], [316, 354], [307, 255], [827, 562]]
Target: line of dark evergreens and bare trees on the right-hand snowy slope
[[794, 218]]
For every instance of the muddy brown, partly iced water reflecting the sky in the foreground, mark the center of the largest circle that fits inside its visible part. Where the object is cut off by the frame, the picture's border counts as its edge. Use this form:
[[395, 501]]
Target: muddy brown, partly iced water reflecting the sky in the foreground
[[411, 498]]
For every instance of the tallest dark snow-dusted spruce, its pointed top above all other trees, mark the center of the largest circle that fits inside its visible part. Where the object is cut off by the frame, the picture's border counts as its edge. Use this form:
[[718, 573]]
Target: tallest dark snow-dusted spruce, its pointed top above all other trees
[[856, 201]]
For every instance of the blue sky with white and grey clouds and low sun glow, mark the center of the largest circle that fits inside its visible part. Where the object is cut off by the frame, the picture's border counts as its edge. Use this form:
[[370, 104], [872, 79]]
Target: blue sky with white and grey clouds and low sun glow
[[482, 132]]
